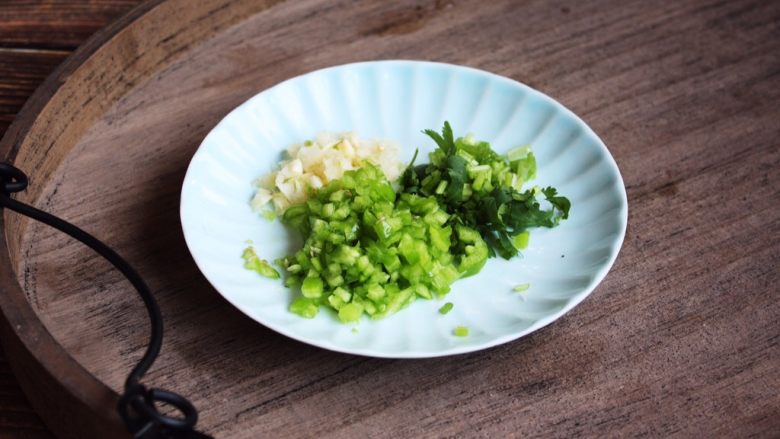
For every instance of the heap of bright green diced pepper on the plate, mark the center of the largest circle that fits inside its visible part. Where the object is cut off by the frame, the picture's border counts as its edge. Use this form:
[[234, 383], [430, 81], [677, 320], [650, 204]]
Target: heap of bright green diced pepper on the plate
[[368, 250]]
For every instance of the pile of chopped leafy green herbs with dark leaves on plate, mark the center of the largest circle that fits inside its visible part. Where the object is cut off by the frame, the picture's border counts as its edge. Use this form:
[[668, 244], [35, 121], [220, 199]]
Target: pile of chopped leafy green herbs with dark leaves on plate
[[482, 190]]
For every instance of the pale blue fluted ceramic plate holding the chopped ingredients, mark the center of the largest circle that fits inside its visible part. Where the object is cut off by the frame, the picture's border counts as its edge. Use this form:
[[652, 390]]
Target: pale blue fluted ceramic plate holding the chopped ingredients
[[396, 100]]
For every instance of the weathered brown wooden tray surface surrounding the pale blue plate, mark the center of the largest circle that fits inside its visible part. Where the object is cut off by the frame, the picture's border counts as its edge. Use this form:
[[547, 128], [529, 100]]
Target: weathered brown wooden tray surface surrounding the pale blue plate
[[681, 339]]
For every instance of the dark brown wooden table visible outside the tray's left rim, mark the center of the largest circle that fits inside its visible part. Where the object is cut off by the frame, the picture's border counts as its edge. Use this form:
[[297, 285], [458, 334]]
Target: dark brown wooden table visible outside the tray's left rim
[[34, 38]]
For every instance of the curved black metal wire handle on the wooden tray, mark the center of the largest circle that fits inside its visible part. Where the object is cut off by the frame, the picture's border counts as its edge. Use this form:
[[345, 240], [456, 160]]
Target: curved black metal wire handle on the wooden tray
[[137, 405]]
